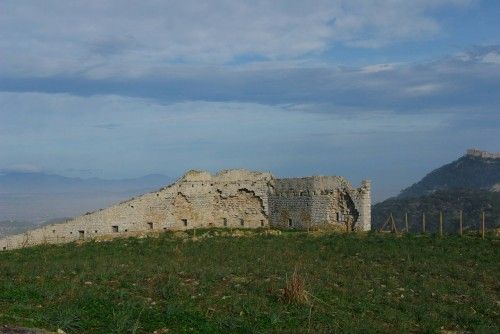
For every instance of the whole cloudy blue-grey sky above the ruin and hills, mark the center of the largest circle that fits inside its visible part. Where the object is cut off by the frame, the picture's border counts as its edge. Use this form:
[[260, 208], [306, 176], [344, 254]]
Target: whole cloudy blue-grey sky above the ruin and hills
[[385, 90]]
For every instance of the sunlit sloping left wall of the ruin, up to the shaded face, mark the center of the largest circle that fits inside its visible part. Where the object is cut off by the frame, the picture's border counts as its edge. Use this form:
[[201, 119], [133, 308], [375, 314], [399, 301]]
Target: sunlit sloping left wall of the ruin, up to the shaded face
[[230, 198]]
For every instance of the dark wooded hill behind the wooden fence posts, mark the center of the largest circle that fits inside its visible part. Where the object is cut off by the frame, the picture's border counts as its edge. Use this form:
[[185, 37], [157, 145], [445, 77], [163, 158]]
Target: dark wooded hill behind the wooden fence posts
[[470, 184]]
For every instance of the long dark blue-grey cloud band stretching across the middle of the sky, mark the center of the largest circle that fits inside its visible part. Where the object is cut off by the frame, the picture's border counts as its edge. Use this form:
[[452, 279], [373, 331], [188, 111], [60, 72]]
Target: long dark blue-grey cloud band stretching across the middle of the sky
[[447, 82]]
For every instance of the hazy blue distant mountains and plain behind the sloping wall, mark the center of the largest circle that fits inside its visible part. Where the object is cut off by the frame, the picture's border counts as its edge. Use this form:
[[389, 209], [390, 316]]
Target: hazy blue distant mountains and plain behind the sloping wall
[[33, 198]]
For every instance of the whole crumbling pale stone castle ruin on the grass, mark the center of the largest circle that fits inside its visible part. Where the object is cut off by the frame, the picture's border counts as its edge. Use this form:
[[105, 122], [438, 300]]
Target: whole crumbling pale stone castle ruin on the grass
[[231, 198]]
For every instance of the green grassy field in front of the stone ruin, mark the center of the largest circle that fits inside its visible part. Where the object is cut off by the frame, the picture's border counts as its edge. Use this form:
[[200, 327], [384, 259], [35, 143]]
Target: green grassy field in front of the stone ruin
[[234, 284]]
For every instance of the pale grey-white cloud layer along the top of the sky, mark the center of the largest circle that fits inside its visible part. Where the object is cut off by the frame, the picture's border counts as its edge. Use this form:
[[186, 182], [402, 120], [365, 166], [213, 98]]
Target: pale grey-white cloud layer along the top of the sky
[[105, 38]]
